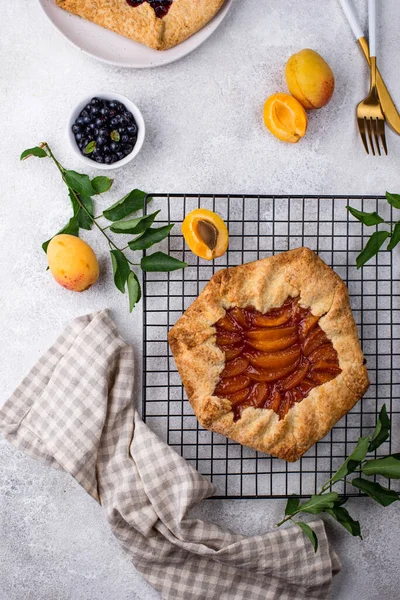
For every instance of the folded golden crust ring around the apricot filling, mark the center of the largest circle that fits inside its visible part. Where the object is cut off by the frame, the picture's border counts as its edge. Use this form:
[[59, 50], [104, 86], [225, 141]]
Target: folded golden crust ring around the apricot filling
[[265, 284]]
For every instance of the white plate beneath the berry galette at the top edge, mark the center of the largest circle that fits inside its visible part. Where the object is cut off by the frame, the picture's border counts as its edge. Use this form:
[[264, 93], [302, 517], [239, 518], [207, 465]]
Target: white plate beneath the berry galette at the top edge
[[115, 49]]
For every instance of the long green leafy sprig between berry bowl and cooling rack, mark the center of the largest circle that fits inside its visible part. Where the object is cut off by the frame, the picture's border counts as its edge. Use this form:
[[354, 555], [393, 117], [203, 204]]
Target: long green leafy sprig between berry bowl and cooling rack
[[81, 190]]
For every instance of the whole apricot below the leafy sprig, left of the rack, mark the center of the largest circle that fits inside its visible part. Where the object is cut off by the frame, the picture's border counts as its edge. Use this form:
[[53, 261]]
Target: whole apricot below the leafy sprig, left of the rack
[[72, 262]]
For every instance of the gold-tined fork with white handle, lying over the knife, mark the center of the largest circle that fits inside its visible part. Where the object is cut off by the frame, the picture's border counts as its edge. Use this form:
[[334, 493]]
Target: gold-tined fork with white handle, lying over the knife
[[370, 118]]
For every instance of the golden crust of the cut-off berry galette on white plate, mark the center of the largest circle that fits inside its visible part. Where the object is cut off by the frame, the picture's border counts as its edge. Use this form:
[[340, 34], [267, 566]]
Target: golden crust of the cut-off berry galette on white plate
[[140, 23]]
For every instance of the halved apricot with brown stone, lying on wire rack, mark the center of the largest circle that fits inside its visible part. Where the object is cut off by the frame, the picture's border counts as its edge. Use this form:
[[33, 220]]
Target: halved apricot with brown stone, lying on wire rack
[[205, 233]]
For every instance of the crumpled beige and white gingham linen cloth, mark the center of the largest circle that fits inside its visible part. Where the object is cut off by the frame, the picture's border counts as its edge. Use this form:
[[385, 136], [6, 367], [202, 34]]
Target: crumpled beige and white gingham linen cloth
[[75, 411]]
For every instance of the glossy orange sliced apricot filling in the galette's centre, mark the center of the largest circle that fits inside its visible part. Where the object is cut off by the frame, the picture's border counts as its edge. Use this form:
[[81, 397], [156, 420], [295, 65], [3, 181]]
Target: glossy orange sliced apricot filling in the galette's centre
[[273, 360]]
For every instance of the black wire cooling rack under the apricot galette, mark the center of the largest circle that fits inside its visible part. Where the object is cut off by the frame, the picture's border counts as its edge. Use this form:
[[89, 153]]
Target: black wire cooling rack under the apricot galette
[[260, 226]]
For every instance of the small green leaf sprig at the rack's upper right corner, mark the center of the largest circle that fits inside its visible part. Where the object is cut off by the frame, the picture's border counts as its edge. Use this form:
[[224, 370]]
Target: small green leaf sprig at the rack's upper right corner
[[378, 238]]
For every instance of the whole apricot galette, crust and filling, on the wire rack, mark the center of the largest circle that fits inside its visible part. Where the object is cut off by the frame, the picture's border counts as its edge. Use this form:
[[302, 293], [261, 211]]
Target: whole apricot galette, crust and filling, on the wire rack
[[269, 353]]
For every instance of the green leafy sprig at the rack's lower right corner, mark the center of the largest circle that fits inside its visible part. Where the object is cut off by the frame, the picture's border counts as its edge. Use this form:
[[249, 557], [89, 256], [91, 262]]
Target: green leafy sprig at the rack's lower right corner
[[331, 503]]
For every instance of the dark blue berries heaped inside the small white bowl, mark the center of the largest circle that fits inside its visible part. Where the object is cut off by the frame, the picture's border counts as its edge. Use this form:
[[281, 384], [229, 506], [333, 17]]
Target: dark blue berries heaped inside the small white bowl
[[105, 131]]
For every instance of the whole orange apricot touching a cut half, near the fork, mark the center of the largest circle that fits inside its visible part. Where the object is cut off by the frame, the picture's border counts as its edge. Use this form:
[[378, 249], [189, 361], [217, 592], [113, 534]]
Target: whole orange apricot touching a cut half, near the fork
[[310, 79]]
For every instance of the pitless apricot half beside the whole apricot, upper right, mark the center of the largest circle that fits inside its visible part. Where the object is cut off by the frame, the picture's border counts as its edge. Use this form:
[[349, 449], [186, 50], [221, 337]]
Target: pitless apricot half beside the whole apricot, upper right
[[285, 118]]
